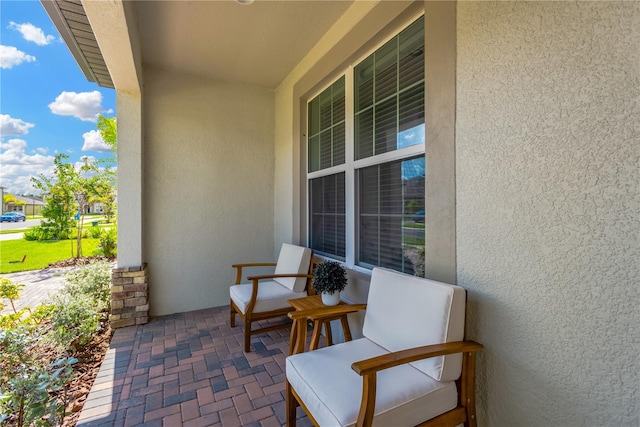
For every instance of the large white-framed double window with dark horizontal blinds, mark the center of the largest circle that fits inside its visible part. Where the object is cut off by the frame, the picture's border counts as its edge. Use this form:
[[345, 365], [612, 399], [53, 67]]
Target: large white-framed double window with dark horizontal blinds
[[380, 164]]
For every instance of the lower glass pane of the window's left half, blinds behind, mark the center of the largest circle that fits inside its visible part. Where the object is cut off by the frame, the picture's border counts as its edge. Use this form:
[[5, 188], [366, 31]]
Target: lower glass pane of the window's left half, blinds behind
[[327, 212]]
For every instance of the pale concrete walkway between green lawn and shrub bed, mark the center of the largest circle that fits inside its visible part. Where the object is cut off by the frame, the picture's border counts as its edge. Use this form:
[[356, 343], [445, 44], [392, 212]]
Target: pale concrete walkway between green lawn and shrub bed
[[39, 284]]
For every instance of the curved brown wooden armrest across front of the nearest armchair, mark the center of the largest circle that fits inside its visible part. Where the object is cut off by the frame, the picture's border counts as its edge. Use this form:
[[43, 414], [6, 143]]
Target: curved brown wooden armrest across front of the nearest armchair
[[389, 360]]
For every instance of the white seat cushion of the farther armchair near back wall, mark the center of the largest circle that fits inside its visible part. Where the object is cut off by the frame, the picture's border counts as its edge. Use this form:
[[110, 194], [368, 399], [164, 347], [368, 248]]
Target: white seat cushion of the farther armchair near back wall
[[271, 296]]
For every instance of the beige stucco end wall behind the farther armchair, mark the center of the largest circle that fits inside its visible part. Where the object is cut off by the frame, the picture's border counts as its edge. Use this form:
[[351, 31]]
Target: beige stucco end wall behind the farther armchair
[[209, 173]]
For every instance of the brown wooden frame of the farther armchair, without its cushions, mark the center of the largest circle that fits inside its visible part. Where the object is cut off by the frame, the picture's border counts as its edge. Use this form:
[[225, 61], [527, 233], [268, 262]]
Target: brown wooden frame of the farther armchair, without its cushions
[[249, 316]]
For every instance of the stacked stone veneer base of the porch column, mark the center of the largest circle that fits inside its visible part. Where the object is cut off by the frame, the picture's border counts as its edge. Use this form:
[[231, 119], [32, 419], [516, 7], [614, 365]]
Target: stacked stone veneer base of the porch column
[[129, 296]]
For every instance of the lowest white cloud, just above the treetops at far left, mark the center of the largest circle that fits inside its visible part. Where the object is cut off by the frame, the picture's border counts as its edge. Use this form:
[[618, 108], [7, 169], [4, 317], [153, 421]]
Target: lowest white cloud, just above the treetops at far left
[[18, 167]]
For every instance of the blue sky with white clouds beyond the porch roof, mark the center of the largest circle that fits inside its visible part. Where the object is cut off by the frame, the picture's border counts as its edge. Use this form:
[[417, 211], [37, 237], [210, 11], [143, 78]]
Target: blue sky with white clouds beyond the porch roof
[[47, 105]]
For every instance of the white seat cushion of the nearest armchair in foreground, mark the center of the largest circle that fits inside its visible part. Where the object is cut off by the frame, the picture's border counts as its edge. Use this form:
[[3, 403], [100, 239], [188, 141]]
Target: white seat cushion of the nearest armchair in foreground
[[405, 395]]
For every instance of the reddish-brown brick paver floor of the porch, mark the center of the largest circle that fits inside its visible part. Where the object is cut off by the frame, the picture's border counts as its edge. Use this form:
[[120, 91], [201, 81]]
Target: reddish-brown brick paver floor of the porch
[[189, 369]]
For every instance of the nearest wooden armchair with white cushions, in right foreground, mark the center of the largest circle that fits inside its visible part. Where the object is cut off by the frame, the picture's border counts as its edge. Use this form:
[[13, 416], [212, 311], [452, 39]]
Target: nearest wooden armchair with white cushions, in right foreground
[[412, 367]]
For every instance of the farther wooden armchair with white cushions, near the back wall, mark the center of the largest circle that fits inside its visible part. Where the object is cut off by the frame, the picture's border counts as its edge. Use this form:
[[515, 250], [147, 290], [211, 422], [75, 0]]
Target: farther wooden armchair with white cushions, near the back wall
[[266, 296]]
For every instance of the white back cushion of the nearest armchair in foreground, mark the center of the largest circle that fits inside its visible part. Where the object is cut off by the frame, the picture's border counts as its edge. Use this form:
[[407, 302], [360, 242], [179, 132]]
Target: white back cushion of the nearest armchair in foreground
[[407, 311]]
